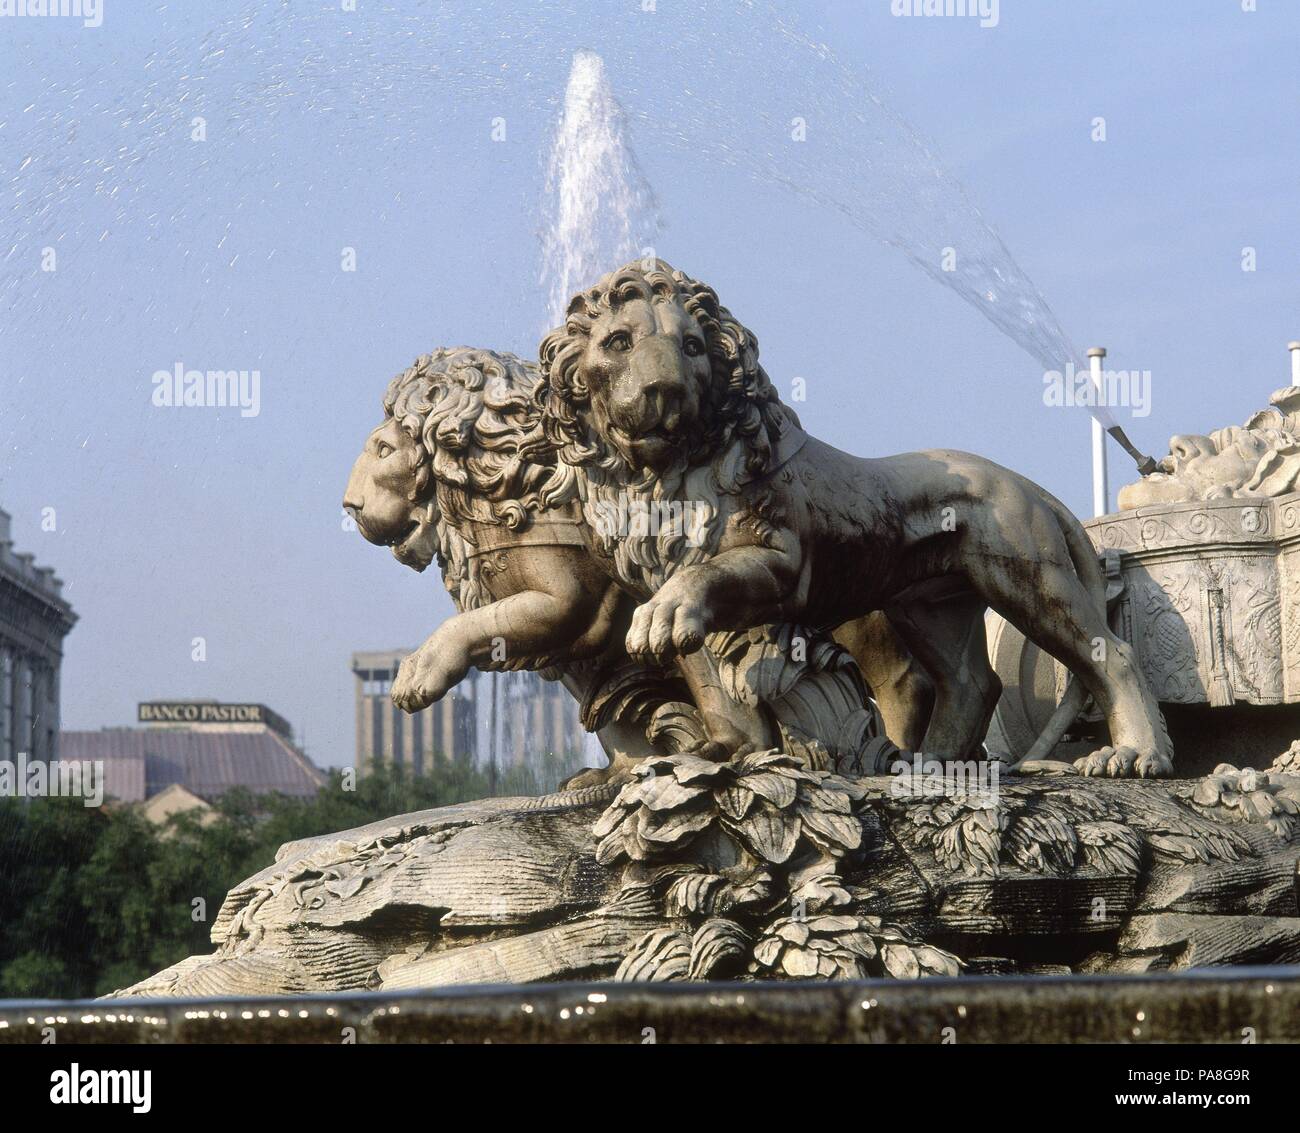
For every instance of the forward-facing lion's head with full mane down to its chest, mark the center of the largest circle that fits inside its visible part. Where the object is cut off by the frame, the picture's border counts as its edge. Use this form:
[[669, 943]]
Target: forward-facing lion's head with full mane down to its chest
[[655, 393]]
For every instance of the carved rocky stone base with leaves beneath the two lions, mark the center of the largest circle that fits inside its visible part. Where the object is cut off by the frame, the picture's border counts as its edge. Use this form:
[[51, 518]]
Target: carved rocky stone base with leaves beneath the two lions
[[775, 867]]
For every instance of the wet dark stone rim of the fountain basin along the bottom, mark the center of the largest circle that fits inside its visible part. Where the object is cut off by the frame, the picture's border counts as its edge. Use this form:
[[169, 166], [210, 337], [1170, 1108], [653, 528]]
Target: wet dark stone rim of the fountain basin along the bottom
[[1204, 1008]]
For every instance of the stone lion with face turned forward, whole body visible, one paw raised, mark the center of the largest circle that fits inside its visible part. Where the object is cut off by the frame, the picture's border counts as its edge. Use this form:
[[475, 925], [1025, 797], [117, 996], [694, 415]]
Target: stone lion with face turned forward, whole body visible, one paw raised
[[655, 390]]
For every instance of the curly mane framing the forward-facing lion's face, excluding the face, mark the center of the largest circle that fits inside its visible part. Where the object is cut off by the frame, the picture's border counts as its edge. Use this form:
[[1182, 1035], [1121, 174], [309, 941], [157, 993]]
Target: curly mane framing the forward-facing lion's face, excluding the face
[[740, 422]]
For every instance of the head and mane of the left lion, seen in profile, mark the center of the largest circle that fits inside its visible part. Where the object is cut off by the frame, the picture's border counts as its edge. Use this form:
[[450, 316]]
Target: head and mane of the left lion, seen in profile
[[461, 442]]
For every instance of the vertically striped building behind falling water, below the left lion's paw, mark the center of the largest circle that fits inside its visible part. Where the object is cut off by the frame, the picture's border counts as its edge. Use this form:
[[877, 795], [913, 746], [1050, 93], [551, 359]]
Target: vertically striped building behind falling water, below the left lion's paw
[[495, 719]]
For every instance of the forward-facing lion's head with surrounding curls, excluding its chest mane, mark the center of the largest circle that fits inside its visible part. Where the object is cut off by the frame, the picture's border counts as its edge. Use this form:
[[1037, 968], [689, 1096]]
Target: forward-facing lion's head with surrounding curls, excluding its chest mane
[[651, 372]]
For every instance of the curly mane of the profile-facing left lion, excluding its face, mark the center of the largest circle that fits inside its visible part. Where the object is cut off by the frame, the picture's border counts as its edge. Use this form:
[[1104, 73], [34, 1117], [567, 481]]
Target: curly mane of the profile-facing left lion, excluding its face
[[486, 455]]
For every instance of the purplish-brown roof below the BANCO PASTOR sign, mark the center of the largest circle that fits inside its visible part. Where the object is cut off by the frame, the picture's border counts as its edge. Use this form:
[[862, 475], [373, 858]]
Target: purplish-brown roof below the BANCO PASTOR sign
[[140, 763]]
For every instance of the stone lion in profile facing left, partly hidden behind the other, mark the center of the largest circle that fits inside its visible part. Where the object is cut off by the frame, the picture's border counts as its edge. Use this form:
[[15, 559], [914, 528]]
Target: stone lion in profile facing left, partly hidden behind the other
[[460, 471]]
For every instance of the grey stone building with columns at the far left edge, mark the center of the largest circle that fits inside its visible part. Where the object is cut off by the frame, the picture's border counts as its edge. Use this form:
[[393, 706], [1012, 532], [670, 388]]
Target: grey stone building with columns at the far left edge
[[34, 620]]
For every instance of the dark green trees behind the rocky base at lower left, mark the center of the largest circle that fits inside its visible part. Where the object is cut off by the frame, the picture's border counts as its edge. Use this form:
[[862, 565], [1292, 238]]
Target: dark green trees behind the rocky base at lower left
[[93, 900]]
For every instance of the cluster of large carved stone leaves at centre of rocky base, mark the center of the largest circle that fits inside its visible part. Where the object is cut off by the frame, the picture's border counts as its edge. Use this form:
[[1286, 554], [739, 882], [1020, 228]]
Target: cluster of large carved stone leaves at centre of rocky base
[[748, 856]]
